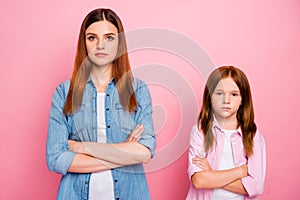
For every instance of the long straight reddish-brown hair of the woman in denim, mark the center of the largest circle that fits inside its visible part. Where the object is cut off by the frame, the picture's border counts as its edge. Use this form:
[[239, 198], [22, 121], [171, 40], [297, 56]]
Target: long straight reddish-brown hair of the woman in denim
[[121, 71]]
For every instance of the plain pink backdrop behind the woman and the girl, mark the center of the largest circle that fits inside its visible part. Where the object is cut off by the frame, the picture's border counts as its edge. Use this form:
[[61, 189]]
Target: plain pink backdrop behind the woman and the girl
[[37, 50]]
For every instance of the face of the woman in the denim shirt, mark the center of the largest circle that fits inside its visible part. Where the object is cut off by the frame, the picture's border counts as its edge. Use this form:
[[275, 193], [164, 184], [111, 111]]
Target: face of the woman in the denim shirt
[[102, 42]]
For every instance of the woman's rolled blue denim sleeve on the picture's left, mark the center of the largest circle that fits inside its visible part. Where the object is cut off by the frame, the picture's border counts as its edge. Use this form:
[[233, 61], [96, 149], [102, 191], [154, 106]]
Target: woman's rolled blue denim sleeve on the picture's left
[[58, 156]]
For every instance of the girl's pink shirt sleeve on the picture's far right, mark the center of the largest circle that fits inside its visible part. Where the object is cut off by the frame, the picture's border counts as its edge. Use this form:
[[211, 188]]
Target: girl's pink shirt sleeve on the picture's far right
[[254, 182]]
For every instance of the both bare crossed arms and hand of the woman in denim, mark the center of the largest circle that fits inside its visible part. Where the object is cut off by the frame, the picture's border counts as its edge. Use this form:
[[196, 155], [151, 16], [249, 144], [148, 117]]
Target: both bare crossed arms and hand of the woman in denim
[[93, 157]]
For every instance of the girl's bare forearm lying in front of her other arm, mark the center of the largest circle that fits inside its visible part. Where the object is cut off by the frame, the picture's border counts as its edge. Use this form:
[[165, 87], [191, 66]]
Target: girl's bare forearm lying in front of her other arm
[[212, 179]]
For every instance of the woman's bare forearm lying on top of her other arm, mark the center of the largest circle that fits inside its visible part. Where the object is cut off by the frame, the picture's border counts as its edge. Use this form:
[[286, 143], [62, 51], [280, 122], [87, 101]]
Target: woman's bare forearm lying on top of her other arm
[[126, 153]]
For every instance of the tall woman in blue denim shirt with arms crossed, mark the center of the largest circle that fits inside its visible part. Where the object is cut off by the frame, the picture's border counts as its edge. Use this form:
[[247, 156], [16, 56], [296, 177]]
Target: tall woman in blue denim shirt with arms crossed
[[100, 126]]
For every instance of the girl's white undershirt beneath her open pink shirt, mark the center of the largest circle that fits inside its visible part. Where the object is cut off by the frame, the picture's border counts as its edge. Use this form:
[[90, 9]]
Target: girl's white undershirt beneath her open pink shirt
[[227, 162]]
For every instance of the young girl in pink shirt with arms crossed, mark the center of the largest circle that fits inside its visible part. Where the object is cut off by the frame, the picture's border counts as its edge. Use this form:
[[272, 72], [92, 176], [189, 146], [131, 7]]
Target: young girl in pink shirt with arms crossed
[[227, 155]]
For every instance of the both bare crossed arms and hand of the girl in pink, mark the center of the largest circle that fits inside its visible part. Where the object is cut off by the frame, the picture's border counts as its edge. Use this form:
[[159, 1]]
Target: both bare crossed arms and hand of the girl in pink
[[224, 179]]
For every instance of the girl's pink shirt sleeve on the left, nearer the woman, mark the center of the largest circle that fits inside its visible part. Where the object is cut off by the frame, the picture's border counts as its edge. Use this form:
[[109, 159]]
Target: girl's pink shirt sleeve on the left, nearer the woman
[[195, 148]]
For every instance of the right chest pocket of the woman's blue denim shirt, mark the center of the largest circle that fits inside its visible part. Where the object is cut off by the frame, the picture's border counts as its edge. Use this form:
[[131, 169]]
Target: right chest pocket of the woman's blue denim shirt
[[123, 119]]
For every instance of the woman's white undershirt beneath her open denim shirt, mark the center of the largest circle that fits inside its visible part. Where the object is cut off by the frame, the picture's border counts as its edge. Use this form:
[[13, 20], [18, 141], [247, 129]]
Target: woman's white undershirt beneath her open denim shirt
[[101, 183]]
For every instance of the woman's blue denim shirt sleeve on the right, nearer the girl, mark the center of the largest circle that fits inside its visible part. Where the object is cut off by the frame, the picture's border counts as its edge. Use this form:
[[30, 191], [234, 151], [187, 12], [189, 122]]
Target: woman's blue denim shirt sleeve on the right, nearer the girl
[[144, 116]]
